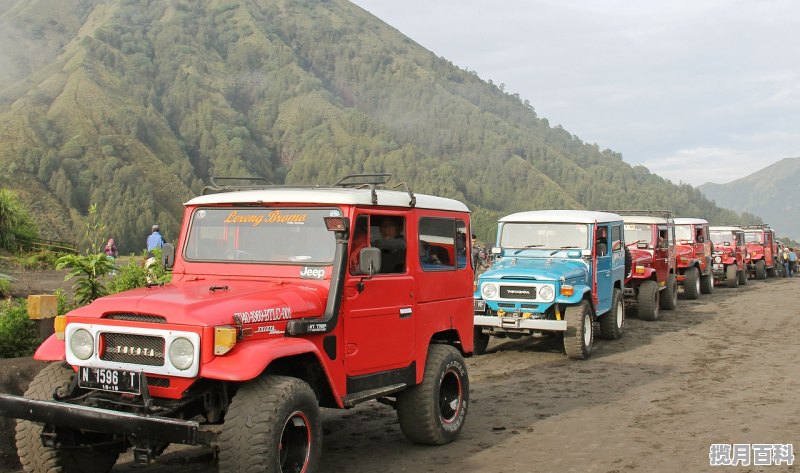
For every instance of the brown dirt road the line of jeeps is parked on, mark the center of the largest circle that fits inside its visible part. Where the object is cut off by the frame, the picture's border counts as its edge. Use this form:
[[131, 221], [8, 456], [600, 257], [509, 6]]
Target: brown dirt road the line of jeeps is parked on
[[718, 370]]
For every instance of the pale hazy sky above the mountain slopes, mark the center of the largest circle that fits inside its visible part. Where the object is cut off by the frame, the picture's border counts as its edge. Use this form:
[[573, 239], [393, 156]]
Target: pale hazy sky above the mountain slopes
[[697, 91]]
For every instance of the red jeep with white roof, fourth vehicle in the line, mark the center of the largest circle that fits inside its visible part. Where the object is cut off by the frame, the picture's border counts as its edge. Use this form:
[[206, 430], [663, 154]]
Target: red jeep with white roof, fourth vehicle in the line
[[694, 250]]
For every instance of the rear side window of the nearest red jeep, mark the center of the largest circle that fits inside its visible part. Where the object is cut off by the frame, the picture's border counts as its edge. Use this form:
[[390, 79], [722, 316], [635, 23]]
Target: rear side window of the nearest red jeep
[[437, 243]]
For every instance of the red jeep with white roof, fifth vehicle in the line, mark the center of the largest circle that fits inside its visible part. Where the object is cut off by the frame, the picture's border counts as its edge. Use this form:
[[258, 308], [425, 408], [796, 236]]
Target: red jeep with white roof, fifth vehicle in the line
[[730, 256]]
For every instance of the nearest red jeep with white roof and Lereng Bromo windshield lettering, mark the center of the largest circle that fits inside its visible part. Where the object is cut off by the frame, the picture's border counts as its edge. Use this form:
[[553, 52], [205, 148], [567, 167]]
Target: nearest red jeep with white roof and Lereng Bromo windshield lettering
[[282, 300]]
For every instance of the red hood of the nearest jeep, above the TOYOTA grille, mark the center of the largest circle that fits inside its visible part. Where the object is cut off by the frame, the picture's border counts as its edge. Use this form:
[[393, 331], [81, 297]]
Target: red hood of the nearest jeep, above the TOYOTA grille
[[215, 302]]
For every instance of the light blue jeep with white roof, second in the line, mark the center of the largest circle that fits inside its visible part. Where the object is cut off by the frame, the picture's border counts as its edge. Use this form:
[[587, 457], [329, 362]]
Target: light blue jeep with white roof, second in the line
[[555, 271]]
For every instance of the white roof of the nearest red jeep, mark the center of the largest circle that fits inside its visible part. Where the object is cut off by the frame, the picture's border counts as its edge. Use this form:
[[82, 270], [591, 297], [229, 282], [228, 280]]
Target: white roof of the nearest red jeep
[[328, 195]]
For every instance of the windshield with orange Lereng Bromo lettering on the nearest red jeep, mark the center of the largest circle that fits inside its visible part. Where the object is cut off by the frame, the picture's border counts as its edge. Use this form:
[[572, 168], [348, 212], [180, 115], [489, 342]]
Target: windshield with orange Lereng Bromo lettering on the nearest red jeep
[[260, 235]]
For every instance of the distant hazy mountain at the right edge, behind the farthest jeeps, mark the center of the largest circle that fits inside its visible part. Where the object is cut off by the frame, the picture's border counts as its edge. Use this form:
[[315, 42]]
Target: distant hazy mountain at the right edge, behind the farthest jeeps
[[772, 193]]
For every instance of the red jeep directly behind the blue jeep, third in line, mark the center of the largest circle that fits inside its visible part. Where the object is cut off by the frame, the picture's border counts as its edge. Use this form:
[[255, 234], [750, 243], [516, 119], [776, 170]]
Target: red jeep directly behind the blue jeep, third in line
[[651, 284]]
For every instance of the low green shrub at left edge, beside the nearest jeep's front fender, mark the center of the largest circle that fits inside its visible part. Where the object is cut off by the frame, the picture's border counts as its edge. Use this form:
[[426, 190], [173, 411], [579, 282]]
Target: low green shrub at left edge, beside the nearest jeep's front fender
[[18, 334]]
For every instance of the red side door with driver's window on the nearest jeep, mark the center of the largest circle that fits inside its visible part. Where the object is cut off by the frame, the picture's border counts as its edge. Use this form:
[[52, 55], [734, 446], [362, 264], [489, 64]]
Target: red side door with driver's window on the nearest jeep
[[378, 310]]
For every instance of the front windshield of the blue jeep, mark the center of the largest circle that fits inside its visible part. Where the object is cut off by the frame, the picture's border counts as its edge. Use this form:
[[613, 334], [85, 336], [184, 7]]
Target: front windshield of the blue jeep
[[544, 235]]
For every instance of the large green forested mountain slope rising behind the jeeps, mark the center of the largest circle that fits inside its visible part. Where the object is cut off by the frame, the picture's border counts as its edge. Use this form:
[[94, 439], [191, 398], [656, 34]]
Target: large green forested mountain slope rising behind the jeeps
[[133, 104]]
